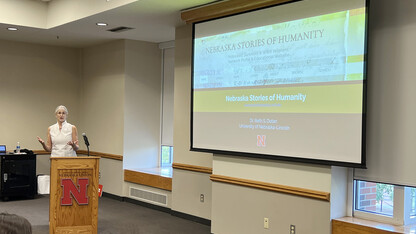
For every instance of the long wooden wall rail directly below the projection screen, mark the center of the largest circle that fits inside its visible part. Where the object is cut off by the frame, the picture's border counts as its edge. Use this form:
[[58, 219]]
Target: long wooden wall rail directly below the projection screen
[[273, 187]]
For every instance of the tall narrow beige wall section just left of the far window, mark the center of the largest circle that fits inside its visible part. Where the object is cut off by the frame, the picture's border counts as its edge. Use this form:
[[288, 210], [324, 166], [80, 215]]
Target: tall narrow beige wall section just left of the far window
[[142, 104]]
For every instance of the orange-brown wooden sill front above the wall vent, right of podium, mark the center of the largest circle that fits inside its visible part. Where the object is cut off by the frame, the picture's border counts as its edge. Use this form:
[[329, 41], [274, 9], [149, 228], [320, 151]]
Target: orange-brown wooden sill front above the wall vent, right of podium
[[147, 179]]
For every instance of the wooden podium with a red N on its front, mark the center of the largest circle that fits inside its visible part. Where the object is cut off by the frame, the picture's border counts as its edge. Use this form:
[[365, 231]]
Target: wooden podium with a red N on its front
[[73, 205]]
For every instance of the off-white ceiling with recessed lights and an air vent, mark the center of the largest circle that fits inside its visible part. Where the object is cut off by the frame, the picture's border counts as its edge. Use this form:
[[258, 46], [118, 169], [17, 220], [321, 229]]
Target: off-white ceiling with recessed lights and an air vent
[[151, 20]]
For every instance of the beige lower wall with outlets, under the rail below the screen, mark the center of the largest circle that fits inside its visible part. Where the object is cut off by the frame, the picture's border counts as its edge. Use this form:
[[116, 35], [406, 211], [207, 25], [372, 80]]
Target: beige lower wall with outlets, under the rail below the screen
[[242, 210]]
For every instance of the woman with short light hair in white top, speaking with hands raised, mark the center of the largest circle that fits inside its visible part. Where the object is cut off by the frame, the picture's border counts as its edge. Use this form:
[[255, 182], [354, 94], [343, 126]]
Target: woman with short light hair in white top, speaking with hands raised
[[62, 137]]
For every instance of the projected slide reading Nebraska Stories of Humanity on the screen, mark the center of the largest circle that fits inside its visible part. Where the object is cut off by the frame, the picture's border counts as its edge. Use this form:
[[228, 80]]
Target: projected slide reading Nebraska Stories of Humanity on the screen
[[291, 89]]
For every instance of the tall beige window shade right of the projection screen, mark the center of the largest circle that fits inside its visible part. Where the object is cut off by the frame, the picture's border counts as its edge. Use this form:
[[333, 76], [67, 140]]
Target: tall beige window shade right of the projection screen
[[391, 108]]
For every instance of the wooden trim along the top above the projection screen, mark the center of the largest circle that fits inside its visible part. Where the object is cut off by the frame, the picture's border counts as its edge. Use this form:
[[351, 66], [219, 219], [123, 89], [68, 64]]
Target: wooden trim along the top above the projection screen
[[225, 8]]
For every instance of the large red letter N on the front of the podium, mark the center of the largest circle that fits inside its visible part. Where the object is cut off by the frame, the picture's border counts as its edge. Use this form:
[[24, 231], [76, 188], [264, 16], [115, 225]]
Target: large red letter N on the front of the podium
[[80, 194]]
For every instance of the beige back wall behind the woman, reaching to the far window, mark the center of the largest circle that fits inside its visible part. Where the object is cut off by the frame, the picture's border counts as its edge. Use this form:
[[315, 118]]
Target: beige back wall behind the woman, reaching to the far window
[[112, 90]]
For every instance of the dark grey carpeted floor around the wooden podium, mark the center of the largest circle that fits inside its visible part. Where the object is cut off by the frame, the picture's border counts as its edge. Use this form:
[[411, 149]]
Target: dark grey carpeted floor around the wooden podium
[[114, 217]]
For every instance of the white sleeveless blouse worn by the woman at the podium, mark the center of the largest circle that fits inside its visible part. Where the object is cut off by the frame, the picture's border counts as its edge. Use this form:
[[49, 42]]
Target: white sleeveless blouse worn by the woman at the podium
[[60, 139]]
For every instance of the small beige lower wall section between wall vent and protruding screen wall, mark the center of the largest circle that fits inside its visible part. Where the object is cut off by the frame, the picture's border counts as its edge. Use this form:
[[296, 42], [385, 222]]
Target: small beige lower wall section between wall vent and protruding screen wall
[[187, 187]]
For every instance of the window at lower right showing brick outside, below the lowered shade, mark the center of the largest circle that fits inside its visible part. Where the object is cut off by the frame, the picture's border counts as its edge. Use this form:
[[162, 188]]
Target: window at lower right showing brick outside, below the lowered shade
[[387, 203]]
